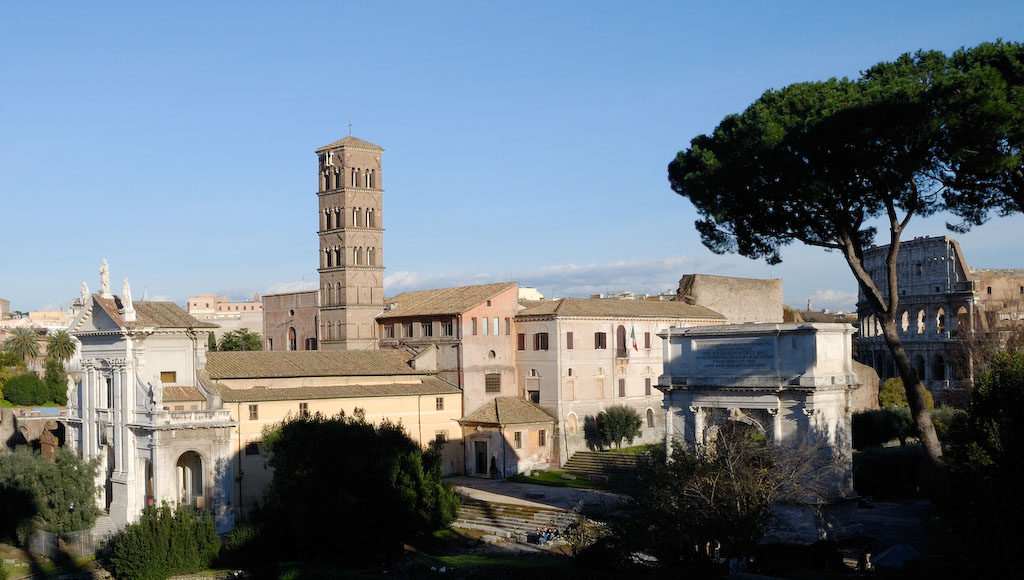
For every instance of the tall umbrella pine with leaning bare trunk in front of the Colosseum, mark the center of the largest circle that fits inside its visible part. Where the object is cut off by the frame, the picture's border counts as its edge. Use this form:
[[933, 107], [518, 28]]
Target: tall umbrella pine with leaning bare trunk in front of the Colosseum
[[821, 163]]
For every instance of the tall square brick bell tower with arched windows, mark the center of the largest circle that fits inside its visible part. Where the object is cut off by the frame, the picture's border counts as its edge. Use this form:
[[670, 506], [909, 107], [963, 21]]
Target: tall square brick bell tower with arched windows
[[352, 233]]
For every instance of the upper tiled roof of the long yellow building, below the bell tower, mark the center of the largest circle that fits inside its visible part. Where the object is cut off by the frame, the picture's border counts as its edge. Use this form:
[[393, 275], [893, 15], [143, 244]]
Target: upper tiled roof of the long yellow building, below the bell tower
[[261, 364]]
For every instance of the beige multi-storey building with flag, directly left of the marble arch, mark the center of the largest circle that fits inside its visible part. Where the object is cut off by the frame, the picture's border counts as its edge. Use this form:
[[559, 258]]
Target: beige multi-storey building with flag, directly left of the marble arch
[[577, 357]]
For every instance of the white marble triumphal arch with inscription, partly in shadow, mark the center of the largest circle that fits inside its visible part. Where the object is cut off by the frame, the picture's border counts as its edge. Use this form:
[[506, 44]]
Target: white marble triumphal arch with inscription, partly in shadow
[[790, 382]]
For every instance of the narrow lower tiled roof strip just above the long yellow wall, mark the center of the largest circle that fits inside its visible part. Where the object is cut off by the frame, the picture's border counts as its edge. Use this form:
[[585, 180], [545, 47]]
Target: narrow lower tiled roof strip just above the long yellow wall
[[425, 386]]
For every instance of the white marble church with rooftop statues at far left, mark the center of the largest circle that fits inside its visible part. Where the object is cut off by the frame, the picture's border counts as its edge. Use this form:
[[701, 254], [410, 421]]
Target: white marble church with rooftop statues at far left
[[129, 355]]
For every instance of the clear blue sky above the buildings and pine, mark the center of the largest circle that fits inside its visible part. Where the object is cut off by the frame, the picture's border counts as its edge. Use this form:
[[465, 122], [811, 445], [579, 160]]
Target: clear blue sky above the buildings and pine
[[525, 141]]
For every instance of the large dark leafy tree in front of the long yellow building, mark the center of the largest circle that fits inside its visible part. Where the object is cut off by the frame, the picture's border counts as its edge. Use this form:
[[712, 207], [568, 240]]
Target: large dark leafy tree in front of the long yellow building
[[332, 471]]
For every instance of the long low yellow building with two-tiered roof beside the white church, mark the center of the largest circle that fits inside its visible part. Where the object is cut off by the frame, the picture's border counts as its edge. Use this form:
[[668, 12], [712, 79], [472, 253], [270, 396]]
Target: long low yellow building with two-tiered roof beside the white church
[[263, 389]]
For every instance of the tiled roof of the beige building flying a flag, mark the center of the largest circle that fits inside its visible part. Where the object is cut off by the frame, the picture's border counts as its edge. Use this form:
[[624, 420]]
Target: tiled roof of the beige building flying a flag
[[616, 309]]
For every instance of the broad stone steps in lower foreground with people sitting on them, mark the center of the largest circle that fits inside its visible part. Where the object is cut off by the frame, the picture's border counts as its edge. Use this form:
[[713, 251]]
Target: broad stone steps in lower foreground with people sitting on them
[[510, 522]]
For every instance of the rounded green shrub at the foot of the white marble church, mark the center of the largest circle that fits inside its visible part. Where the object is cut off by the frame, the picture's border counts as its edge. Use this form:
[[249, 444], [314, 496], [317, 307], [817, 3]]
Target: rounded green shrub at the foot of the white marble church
[[165, 543]]
